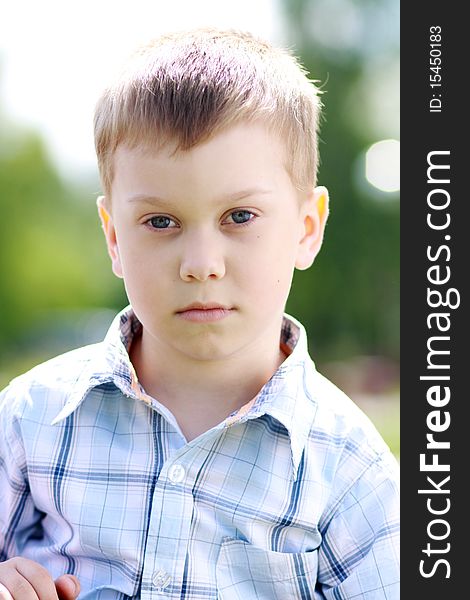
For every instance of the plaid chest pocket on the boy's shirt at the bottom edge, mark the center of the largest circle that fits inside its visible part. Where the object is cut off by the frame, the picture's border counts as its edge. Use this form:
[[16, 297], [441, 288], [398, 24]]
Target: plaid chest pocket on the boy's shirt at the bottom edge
[[245, 572]]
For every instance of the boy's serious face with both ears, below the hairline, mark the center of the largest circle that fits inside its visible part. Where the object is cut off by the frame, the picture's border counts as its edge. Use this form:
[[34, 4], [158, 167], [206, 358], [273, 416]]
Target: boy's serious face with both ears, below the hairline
[[207, 240]]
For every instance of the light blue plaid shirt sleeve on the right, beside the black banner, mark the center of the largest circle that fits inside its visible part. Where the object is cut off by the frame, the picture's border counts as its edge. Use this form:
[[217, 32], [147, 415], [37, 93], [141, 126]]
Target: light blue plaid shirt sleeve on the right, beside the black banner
[[359, 555]]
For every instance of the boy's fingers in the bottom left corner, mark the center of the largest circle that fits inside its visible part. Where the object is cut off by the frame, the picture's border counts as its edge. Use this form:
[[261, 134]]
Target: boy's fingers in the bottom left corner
[[23, 579]]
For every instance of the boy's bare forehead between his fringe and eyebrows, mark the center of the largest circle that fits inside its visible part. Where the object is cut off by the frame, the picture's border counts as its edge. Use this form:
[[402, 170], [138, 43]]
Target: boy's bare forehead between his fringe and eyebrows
[[247, 154]]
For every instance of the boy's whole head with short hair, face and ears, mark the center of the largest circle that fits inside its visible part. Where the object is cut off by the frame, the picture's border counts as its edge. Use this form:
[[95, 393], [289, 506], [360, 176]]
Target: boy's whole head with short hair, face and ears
[[207, 150]]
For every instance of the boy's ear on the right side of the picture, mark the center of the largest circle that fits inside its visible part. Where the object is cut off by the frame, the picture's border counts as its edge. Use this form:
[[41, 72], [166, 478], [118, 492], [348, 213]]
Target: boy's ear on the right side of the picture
[[314, 213]]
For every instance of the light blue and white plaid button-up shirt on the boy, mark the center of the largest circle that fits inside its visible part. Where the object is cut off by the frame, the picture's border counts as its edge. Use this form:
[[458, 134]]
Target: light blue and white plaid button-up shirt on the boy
[[293, 496]]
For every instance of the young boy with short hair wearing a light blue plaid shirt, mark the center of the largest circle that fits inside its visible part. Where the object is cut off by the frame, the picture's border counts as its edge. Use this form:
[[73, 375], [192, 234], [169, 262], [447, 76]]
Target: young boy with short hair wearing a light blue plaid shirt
[[196, 452]]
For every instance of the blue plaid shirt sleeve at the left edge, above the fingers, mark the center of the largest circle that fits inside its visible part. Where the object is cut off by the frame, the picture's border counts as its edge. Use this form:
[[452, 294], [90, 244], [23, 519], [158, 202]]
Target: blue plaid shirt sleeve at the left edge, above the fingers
[[19, 518]]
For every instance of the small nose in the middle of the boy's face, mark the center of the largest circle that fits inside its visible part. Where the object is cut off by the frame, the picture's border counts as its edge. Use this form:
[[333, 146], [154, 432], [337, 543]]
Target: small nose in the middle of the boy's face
[[202, 257]]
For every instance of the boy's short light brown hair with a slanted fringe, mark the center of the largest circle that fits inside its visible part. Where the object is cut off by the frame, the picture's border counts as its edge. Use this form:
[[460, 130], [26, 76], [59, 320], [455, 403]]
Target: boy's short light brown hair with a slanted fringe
[[188, 86]]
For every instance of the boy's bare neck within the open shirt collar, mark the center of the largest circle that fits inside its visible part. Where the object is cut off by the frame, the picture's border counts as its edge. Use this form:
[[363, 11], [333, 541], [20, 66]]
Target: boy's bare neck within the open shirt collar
[[202, 393]]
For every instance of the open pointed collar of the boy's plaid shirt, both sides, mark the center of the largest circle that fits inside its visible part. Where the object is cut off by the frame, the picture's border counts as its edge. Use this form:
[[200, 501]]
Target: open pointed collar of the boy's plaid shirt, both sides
[[287, 396]]
